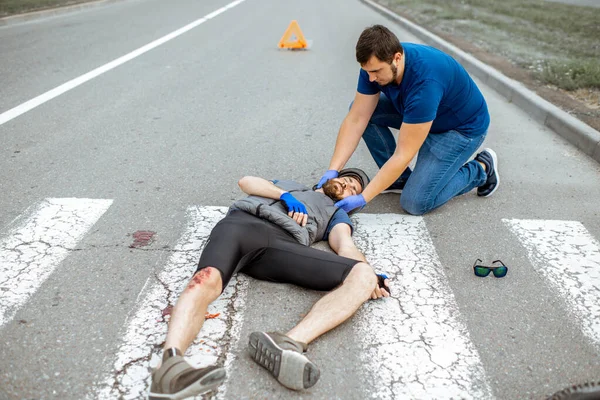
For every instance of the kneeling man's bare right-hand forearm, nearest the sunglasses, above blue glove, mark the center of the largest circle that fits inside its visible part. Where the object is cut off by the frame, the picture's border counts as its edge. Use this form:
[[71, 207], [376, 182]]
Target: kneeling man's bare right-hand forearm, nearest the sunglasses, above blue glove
[[410, 140]]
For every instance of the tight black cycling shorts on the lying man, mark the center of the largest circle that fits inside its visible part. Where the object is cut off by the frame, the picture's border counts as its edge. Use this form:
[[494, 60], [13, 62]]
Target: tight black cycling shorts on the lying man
[[241, 242]]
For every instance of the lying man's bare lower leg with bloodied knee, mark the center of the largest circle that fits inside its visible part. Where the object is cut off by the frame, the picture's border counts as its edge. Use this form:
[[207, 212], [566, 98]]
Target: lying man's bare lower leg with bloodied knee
[[187, 317]]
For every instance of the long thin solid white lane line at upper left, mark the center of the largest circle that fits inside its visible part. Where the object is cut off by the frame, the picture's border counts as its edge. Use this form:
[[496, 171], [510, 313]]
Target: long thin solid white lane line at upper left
[[65, 87]]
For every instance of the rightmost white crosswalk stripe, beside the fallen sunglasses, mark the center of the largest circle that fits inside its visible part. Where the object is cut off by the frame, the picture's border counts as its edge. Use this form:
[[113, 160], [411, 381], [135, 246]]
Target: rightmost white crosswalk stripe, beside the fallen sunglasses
[[566, 255]]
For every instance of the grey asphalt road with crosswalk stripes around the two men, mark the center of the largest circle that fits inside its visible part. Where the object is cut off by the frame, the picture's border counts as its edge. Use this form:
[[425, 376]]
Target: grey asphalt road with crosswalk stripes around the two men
[[156, 142]]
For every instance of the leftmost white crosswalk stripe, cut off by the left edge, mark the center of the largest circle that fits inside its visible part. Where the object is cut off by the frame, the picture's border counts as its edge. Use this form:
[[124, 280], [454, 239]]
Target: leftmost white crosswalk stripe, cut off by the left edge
[[38, 243]]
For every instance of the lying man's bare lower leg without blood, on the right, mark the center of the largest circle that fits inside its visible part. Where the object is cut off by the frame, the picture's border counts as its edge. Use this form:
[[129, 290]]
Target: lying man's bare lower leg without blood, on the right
[[337, 306]]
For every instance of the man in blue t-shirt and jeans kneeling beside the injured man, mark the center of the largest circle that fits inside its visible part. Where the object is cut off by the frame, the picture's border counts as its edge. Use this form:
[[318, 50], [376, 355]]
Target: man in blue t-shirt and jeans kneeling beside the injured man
[[440, 114]]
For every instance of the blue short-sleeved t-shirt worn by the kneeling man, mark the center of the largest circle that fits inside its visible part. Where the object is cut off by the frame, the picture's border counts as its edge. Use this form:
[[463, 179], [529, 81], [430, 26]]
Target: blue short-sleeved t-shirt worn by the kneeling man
[[435, 87]]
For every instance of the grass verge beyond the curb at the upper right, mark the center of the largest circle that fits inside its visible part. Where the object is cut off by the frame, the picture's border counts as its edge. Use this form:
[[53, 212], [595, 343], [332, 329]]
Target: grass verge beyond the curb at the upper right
[[559, 43]]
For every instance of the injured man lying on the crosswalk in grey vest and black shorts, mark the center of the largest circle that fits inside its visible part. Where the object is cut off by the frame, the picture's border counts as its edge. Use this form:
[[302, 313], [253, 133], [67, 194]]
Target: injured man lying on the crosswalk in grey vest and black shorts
[[258, 245]]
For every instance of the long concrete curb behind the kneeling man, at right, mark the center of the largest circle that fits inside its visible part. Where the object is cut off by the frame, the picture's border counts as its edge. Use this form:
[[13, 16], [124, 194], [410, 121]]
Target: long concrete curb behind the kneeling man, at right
[[578, 133]]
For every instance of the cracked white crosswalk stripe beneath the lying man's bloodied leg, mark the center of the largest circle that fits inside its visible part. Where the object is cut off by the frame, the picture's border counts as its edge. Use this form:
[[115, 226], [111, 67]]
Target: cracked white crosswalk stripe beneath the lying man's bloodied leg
[[146, 329]]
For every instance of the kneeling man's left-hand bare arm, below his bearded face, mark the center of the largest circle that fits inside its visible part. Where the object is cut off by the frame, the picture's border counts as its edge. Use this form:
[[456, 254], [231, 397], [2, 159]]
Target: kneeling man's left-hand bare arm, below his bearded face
[[352, 129]]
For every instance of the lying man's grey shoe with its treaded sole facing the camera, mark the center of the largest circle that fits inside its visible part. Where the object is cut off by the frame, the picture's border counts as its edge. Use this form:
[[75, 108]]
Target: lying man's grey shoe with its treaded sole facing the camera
[[282, 357]]
